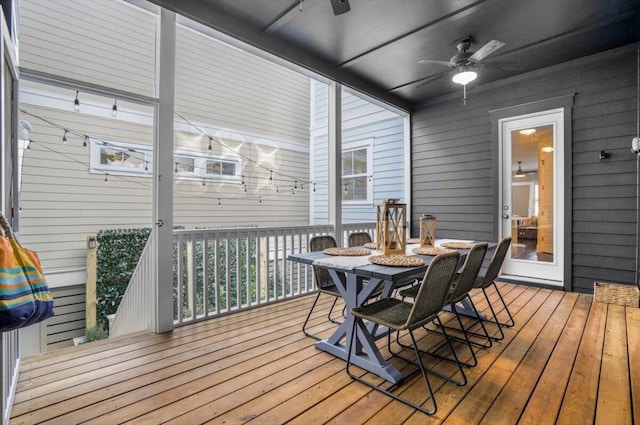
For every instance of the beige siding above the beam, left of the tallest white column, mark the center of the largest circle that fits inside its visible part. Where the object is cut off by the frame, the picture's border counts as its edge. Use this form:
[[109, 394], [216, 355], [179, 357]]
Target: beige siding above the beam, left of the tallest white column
[[110, 43]]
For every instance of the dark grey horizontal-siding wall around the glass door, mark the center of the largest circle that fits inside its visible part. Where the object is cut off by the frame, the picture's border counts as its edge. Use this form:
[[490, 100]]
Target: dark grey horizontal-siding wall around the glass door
[[454, 162]]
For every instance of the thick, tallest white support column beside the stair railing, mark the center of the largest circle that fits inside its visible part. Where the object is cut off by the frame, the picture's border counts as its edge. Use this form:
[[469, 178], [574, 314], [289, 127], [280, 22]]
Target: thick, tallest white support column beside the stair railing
[[163, 174]]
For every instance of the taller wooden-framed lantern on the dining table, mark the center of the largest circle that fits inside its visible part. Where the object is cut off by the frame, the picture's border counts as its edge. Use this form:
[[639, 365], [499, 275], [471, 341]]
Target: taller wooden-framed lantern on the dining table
[[391, 225]]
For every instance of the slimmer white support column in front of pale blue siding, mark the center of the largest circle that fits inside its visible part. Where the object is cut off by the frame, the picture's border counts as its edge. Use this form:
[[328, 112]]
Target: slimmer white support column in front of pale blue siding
[[335, 159]]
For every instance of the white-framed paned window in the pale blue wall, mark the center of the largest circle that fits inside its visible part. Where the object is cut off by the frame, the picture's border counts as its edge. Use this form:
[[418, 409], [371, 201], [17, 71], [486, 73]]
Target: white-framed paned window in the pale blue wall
[[357, 158]]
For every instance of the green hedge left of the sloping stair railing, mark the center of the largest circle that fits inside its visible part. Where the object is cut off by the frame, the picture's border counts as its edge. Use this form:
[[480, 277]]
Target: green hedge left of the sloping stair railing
[[118, 253]]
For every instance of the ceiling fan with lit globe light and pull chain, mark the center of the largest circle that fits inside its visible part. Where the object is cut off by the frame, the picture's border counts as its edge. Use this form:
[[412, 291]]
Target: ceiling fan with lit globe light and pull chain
[[464, 64]]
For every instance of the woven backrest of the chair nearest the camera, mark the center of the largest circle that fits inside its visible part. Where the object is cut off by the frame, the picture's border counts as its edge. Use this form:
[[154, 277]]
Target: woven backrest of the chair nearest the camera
[[434, 289]]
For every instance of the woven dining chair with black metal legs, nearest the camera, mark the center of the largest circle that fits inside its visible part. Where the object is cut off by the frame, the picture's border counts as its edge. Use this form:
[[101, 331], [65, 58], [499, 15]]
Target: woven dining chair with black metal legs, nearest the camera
[[399, 315]]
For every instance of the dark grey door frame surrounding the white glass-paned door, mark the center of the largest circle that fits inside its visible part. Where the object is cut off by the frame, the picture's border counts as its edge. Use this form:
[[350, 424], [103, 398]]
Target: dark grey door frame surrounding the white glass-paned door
[[566, 103]]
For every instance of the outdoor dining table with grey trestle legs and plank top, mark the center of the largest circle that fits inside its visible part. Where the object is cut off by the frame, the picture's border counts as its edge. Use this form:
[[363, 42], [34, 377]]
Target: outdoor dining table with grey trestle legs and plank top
[[356, 279]]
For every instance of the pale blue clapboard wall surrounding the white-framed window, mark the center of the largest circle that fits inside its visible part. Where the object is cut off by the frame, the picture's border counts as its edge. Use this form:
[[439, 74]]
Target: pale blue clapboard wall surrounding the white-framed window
[[362, 121]]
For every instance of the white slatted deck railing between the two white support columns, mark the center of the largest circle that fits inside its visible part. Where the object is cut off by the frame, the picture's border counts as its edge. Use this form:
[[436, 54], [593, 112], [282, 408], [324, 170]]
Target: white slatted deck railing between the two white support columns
[[220, 271]]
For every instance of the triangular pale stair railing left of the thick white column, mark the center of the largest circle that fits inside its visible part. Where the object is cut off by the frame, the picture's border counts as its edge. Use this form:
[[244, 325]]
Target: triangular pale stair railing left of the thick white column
[[136, 311]]
